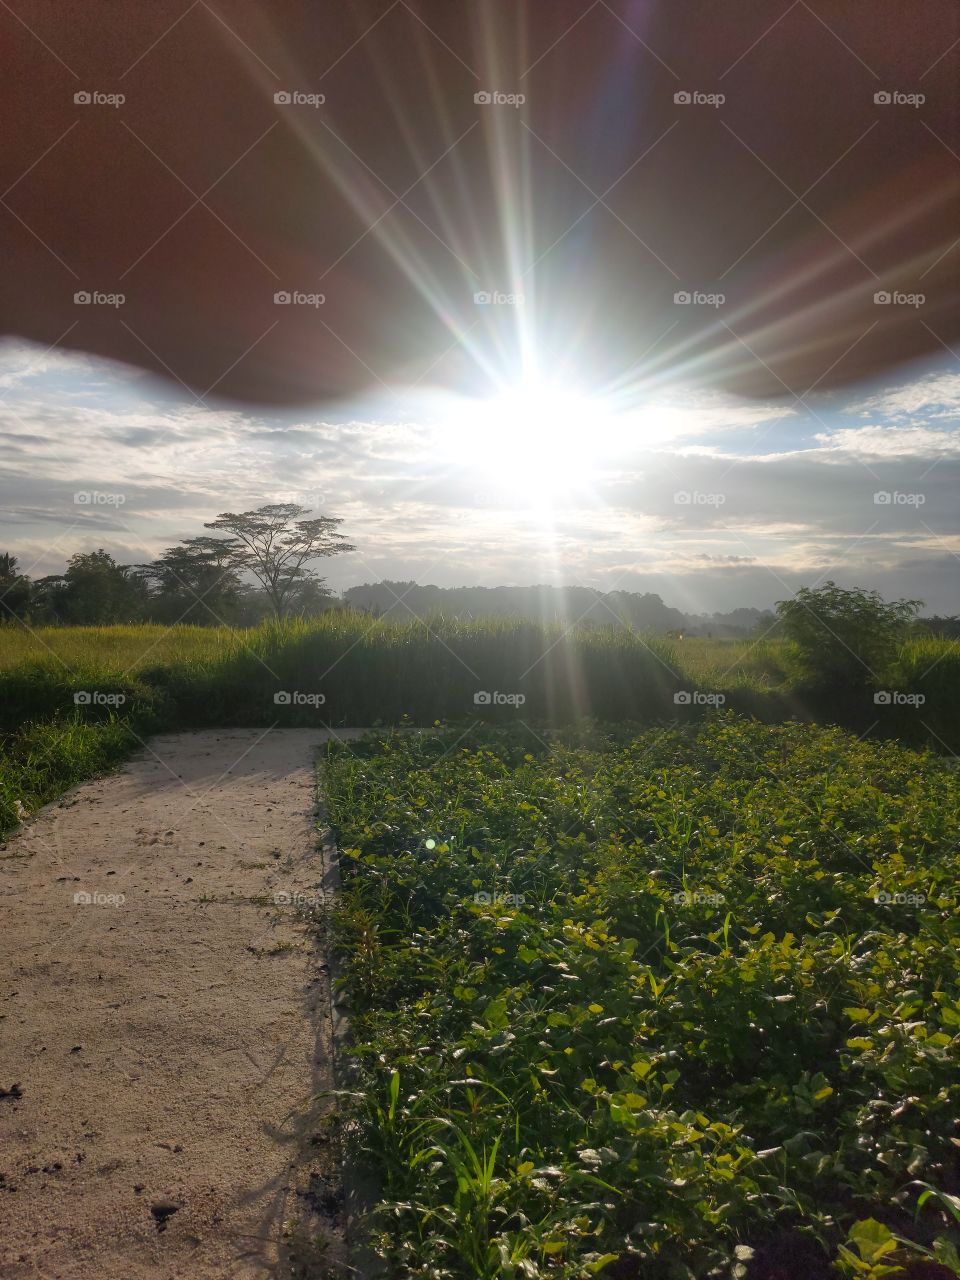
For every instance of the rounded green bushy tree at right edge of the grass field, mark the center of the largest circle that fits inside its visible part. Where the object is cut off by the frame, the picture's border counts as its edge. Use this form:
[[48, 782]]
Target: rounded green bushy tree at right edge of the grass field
[[845, 638]]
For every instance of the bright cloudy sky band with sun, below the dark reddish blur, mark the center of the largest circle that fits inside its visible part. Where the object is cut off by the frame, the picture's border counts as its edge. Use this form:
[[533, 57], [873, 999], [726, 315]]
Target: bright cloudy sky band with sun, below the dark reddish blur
[[712, 502]]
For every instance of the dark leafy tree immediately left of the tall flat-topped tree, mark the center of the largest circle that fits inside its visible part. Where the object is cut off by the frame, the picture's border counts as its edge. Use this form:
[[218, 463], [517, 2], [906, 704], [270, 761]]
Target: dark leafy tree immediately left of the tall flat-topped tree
[[194, 583]]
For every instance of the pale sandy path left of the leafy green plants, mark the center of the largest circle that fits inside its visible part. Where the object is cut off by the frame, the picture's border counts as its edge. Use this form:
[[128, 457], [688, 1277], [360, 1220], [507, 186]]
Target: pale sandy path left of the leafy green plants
[[168, 1044]]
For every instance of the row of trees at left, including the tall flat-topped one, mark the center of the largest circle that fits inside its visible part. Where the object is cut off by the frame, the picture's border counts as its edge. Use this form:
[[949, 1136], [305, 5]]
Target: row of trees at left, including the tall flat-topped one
[[264, 565]]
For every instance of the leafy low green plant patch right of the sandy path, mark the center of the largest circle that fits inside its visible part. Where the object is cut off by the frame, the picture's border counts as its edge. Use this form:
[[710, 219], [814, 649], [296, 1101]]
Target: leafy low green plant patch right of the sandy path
[[655, 1004]]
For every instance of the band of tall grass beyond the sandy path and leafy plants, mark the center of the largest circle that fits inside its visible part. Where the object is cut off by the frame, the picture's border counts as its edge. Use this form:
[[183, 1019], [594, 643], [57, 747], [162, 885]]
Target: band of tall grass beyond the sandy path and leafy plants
[[348, 669]]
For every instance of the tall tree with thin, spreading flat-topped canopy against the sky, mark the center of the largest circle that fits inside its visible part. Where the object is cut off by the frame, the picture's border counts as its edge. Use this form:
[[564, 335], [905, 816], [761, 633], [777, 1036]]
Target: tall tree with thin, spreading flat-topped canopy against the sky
[[277, 546]]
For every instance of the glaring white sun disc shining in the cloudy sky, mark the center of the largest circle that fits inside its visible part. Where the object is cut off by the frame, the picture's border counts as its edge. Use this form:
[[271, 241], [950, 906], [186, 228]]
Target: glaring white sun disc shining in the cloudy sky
[[537, 442]]
